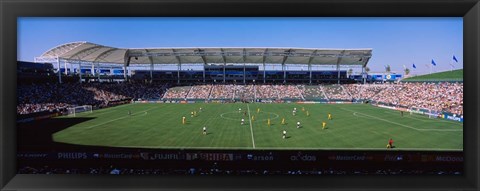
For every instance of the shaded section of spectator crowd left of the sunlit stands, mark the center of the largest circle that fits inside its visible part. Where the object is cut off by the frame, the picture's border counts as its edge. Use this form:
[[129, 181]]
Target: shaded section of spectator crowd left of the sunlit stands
[[33, 98]]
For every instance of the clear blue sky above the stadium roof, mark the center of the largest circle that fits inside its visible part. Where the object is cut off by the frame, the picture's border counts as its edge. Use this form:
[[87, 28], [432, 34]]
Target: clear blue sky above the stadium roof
[[395, 41]]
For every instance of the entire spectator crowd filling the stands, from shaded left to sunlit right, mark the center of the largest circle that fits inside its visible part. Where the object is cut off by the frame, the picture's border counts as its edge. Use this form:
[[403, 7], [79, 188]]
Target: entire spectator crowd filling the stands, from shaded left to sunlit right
[[443, 96]]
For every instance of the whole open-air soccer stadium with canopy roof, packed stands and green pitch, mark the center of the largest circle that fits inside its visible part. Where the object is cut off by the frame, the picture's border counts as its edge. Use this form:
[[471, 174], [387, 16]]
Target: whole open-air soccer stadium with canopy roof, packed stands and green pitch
[[230, 98]]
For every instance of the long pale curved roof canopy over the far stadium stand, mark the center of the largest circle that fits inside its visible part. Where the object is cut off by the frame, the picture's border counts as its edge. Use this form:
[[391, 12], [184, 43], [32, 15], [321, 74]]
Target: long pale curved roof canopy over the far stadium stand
[[95, 53]]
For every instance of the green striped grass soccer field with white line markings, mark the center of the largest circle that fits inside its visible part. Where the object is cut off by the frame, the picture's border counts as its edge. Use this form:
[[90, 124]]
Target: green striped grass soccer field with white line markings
[[354, 126]]
